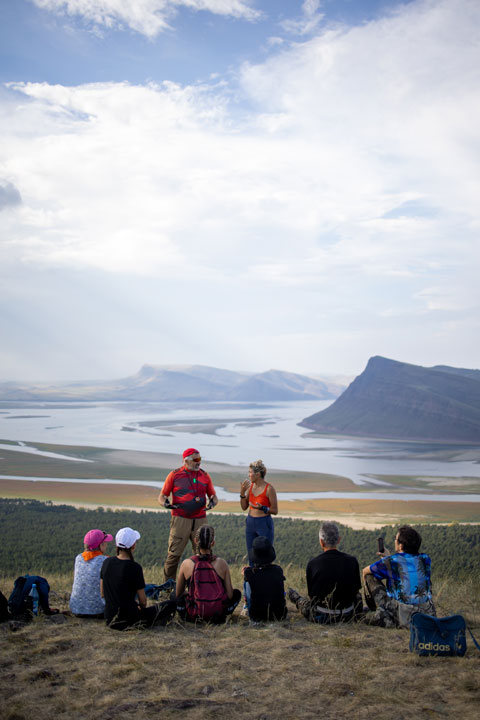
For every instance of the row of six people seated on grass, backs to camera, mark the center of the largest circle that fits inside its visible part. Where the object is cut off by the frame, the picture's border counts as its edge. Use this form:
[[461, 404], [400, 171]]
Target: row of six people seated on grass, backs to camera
[[114, 587]]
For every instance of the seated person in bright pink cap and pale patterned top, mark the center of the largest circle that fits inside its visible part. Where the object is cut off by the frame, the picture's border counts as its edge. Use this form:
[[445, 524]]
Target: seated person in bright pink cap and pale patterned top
[[85, 600]]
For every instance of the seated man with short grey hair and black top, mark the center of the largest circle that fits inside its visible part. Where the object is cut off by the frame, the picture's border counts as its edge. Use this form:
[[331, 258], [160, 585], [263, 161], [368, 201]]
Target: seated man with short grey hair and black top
[[333, 582]]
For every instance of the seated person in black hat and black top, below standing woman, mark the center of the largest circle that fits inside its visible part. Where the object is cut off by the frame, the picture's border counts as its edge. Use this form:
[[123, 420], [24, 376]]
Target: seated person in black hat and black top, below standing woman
[[264, 589]]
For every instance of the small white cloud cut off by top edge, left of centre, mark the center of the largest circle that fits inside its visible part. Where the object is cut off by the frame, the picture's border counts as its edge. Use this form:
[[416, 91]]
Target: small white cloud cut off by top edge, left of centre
[[148, 17]]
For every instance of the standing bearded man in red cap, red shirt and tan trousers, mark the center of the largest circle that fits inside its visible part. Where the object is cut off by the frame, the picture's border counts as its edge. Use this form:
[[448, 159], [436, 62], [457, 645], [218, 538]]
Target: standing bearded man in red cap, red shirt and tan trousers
[[189, 487]]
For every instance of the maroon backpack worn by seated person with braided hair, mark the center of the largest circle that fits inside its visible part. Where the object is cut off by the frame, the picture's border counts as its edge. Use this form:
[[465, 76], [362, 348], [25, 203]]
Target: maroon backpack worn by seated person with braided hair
[[207, 597]]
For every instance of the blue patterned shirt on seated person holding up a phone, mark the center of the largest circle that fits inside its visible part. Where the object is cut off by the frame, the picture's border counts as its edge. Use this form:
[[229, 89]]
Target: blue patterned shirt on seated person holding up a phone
[[407, 576]]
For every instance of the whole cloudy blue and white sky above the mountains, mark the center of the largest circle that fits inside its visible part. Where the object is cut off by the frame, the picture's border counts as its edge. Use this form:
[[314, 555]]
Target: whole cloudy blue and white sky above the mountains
[[245, 184]]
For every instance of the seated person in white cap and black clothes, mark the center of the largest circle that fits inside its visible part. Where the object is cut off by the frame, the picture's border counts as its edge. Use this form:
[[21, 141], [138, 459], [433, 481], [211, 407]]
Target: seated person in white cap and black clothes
[[123, 587]]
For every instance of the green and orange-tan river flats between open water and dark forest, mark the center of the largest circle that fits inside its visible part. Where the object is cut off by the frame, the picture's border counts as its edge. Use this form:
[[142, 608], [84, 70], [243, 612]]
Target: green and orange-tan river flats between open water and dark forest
[[139, 475]]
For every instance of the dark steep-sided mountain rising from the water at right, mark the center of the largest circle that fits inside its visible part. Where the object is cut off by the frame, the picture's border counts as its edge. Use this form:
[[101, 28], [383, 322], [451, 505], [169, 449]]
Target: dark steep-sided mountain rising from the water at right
[[391, 399]]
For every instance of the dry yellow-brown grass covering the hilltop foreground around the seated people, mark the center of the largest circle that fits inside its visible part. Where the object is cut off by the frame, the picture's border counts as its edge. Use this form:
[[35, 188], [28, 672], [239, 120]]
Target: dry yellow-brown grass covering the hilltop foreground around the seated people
[[80, 669]]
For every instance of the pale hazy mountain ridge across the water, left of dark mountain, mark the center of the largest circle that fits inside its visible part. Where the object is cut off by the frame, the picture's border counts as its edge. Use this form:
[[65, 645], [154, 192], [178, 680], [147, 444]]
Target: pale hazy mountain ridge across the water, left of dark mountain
[[170, 383]]
